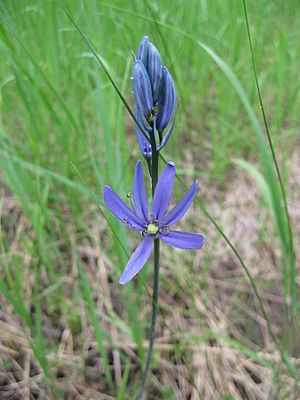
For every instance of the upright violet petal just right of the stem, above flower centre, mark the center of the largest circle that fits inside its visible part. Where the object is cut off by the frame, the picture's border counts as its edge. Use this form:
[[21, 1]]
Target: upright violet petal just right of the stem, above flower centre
[[163, 192]]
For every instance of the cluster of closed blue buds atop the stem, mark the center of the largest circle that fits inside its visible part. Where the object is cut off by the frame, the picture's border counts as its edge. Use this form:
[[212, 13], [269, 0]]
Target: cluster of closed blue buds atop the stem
[[155, 97]]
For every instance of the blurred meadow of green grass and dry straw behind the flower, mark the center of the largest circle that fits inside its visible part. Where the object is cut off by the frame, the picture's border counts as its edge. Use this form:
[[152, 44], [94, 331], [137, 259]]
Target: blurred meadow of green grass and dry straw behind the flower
[[68, 330]]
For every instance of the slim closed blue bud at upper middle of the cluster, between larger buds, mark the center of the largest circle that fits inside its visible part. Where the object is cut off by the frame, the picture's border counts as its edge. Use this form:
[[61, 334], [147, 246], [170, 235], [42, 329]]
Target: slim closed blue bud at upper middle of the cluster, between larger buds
[[154, 69]]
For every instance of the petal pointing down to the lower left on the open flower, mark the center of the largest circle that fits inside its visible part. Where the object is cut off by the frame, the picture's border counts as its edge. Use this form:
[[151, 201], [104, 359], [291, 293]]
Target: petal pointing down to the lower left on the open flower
[[137, 260]]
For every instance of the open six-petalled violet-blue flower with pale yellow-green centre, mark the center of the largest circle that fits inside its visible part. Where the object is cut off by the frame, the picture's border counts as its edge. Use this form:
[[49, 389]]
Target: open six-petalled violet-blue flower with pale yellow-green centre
[[158, 225]]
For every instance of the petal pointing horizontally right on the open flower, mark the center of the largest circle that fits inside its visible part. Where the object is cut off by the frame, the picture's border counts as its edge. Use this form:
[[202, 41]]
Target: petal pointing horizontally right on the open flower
[[184, 240]]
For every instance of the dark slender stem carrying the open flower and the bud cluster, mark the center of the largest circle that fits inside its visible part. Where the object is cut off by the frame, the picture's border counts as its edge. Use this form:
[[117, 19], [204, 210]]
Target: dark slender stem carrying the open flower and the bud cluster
[[154, 177]]
